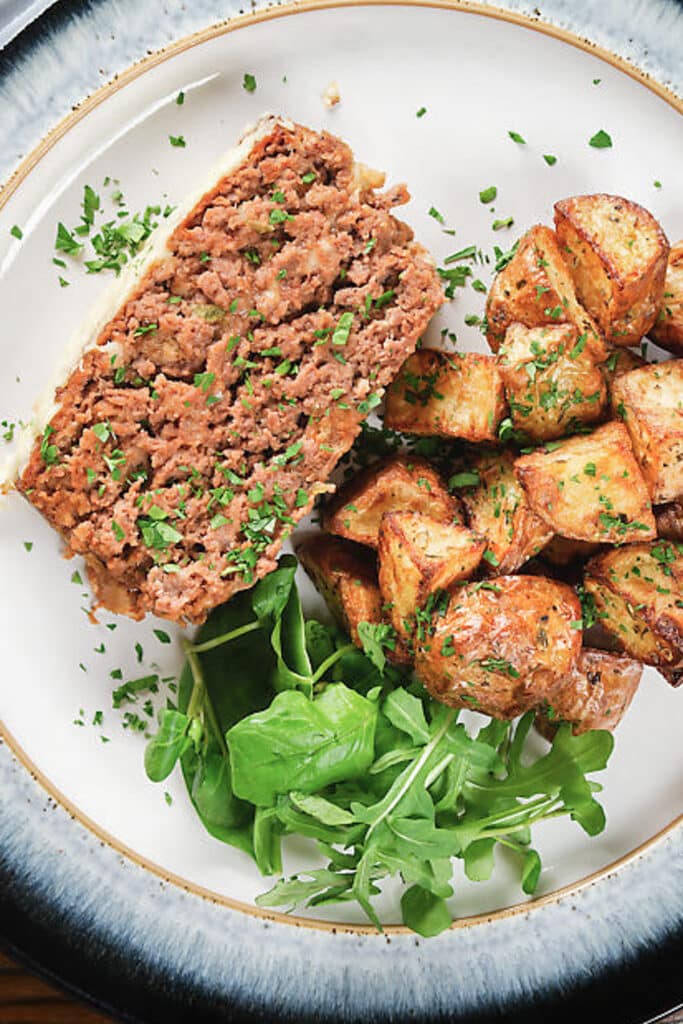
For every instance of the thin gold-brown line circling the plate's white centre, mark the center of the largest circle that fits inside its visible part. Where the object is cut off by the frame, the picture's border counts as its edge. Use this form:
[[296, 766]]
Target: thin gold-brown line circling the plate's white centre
[[20, 176]]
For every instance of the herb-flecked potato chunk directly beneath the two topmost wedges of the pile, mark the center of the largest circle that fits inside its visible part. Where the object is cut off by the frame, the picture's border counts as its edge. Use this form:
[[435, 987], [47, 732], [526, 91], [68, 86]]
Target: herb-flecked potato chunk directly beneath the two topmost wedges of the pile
[[552, 383]]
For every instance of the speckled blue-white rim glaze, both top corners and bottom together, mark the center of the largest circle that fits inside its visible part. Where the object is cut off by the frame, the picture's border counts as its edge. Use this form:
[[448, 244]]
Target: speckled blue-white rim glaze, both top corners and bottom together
[[150, 946]]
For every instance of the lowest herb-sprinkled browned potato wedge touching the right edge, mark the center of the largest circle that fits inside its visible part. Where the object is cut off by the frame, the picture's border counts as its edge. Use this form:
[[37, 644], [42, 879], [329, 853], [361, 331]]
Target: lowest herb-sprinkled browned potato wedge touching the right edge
[[638, 594]]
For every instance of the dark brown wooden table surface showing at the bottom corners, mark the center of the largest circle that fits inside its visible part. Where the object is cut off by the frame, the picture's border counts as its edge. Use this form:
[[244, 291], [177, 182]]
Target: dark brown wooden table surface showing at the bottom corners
[[27, 1000]]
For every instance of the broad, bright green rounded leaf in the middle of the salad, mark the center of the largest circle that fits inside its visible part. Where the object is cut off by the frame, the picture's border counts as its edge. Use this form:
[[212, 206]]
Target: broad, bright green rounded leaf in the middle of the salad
[[304, 745]]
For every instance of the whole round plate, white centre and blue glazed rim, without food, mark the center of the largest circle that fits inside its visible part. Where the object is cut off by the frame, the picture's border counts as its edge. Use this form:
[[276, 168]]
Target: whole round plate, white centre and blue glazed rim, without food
[[115, 860]]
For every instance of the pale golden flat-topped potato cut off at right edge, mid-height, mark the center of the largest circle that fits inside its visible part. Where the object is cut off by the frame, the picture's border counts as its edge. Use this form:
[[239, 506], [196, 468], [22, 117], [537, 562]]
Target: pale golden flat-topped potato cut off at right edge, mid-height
[[651, 403]]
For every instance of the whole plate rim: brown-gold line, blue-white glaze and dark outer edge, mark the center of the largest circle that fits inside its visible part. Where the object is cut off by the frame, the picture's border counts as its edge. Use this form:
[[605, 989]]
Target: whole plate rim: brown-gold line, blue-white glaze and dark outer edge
[[145, 944]]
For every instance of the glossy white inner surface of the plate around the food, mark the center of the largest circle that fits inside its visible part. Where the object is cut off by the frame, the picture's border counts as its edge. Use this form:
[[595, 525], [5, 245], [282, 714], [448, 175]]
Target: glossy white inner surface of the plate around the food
[[479, 79]]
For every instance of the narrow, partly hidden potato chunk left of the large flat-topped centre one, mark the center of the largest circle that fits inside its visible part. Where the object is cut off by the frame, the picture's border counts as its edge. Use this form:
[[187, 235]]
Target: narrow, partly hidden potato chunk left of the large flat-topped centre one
[[497, 508]]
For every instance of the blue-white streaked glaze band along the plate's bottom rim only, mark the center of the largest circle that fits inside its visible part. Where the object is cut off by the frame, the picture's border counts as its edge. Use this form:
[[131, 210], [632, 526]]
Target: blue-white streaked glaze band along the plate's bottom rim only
[[230, 958]]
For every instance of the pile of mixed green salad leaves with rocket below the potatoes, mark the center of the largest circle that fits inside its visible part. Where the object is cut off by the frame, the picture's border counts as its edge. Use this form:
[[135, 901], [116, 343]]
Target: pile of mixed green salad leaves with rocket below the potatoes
[[284, 728]]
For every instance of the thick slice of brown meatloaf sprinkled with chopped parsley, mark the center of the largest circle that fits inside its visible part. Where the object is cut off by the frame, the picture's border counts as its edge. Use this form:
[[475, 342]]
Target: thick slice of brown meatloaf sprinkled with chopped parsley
[[207, 414]]
